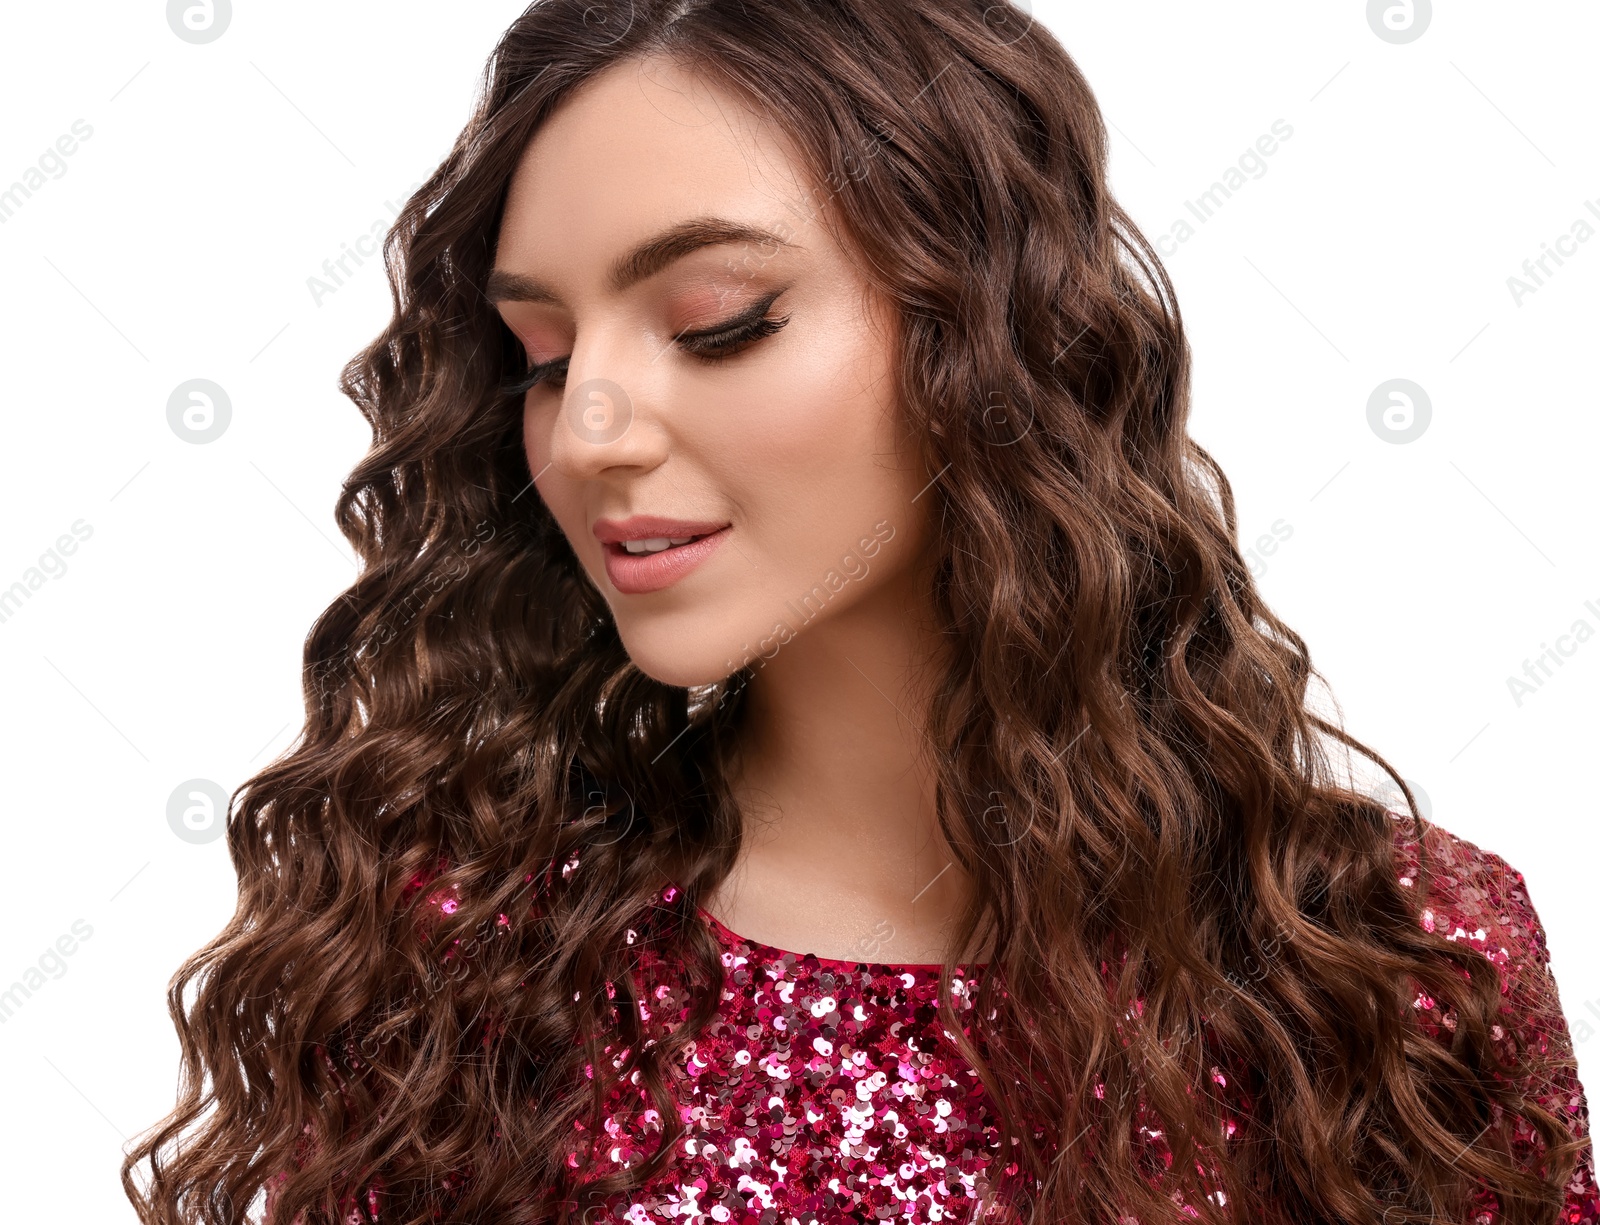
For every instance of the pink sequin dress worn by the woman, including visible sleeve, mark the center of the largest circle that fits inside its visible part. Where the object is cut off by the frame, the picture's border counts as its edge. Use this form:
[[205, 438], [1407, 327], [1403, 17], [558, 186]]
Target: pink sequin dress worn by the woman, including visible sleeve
[[826, 1091]]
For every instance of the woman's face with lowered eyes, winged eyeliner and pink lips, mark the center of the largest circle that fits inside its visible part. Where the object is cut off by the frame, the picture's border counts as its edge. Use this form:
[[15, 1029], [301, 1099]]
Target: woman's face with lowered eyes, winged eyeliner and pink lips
[[722, 378]]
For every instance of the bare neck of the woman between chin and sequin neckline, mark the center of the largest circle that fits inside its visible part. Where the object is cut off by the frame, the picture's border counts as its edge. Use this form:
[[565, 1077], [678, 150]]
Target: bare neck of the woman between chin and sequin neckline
[[834, 778]]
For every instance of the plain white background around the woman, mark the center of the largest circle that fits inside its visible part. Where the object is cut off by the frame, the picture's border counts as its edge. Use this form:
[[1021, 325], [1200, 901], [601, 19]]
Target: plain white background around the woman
[[218, 178]]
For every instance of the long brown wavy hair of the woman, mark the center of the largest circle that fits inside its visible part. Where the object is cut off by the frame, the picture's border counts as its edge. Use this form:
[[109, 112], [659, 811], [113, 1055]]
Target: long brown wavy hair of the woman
[[1129, 767]]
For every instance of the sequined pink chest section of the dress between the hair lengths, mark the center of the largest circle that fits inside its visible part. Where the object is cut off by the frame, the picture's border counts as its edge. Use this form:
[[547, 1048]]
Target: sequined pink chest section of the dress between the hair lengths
[[820, 1093]]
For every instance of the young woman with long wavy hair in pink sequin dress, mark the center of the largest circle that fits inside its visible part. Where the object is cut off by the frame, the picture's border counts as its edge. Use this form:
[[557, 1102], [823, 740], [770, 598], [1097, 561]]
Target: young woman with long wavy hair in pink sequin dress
[[806, 746]]
